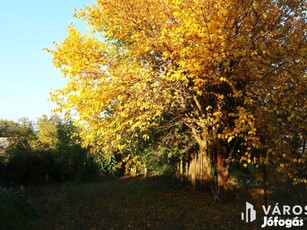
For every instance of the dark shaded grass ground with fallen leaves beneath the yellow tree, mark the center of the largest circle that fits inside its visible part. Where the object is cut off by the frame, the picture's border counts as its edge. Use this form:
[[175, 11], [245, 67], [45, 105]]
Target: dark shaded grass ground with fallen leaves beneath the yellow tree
[[134, 203]]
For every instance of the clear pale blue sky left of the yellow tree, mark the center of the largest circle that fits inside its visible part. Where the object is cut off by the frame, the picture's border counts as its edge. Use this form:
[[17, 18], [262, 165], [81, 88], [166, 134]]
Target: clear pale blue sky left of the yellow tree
[[27, 74]]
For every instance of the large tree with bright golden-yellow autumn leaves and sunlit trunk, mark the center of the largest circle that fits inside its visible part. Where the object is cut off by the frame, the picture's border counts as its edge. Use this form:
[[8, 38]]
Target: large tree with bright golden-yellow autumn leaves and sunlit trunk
[[232, 71]]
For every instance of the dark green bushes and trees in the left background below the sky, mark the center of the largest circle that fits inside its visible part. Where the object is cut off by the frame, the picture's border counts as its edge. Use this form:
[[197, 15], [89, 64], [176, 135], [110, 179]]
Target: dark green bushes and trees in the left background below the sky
[[44, 152]]
